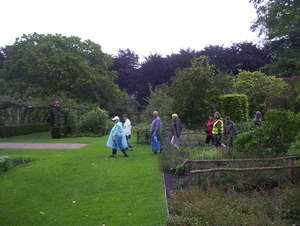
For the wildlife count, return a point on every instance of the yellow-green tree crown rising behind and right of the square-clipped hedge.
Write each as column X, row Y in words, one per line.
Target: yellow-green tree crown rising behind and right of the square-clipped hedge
column 258, row 86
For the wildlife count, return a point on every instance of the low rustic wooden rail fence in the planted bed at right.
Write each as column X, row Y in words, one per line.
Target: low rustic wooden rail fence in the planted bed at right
column 211, row 172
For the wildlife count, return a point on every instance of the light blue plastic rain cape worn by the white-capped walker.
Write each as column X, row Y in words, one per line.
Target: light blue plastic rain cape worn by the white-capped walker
column 120, row 142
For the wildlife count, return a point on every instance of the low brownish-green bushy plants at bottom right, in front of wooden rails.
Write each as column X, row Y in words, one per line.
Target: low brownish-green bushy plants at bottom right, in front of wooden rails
column 215, row 207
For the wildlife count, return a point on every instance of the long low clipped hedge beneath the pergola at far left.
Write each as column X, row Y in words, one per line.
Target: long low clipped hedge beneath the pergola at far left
column 17, row 130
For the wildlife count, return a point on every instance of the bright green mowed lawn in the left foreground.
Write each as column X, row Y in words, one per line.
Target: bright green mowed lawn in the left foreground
column 81, row 186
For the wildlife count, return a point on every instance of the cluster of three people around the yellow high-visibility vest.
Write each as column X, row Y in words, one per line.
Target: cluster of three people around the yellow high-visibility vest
column 215, row 129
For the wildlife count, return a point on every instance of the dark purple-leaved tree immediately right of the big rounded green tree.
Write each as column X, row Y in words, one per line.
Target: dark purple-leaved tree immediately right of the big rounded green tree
column 126, row 63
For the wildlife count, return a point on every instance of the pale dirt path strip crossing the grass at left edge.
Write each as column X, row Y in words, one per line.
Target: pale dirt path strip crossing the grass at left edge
column 42, row 145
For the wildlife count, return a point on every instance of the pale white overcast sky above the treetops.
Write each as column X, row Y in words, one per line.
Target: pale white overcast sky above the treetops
column 156, row 26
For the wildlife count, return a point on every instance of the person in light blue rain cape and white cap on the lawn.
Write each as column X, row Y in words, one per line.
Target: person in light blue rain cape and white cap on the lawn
column 116, row 139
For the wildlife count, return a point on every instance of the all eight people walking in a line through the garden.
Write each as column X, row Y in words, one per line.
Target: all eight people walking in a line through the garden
column 215, row 129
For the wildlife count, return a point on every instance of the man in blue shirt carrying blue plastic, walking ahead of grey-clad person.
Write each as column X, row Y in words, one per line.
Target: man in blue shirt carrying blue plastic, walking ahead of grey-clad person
column 156, row 133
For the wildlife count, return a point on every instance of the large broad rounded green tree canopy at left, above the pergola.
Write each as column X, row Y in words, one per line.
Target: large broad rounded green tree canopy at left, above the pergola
column 43, row 65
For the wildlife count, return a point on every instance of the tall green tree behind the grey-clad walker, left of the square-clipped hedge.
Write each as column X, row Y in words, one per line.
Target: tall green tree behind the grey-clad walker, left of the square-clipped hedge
column 194, row 93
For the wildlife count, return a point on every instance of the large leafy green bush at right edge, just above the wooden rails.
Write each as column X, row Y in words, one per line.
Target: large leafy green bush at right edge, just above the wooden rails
column 273, row 138
